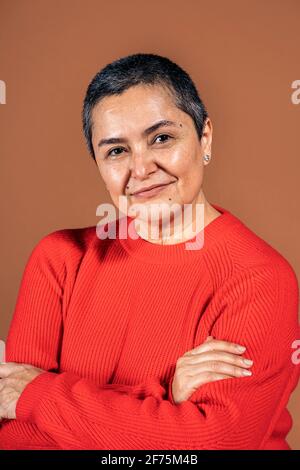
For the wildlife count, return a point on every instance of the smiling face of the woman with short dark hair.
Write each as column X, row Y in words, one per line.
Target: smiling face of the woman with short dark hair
column 141, row 139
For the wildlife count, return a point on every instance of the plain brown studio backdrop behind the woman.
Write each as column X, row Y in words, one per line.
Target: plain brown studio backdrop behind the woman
column 243, row 57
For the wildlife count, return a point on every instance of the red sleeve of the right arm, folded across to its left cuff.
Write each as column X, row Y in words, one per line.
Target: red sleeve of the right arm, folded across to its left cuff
column 256, row 308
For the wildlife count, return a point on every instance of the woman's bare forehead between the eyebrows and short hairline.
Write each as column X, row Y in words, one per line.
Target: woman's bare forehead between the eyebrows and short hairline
column 134, row 110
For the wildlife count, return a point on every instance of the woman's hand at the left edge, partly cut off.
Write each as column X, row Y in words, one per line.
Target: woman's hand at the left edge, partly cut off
column 13, row 379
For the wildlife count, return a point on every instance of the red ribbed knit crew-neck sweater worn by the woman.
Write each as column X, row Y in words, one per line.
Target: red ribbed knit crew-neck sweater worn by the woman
column 108, row 319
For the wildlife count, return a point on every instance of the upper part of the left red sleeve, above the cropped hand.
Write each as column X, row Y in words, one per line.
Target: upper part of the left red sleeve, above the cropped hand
column 36, row 328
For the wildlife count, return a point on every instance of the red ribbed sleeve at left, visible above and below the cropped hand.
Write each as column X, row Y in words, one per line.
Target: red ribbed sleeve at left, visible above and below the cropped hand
column 35, row 331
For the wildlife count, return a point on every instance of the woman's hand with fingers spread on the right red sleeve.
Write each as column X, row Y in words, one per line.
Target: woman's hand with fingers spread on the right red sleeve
column 212, row 360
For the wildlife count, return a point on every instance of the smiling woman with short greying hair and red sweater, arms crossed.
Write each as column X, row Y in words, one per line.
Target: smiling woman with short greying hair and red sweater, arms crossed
column 130, row 338
